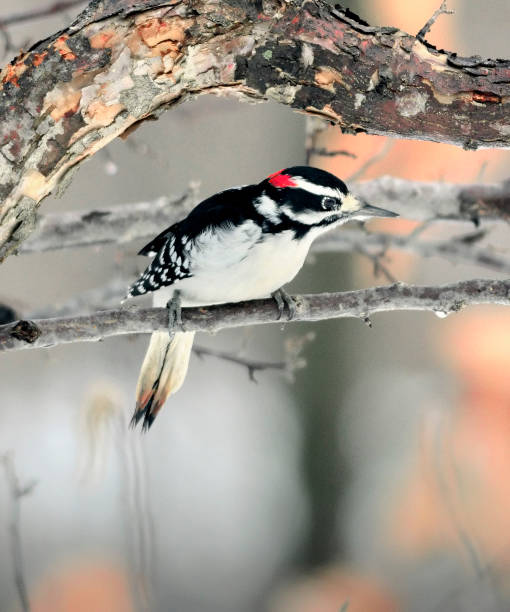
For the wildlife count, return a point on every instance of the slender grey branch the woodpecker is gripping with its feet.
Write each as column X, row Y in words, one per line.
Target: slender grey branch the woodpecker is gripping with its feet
column 359, row 304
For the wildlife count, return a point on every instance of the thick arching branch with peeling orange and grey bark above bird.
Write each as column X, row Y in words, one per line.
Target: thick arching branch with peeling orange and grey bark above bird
column 123, row 61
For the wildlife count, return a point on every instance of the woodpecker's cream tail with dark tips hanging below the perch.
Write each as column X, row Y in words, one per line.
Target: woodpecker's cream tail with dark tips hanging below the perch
column 163, row 371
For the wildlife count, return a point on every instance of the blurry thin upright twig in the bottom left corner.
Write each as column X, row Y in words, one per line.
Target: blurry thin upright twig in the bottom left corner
column 16, row 492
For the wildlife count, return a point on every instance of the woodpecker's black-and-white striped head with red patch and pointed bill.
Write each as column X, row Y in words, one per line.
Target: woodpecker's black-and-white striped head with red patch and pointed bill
column 313, row 197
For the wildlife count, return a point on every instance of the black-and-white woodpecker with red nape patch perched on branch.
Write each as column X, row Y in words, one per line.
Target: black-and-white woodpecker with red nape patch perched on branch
column 241, row 244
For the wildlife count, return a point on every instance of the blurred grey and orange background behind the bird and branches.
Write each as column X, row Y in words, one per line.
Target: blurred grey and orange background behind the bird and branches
column 374, row 481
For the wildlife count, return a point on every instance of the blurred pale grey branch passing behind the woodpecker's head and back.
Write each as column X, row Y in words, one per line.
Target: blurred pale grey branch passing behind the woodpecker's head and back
column 411, row 199
